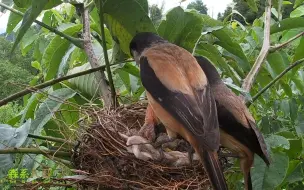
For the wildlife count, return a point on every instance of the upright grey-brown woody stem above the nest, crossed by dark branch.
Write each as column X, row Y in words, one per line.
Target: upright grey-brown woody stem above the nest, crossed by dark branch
column 100, row 76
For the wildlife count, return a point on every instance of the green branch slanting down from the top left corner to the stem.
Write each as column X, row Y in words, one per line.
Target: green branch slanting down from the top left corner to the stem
column 71, row 39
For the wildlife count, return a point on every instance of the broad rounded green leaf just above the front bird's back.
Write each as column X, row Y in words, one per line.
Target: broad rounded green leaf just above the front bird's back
column 181, row 27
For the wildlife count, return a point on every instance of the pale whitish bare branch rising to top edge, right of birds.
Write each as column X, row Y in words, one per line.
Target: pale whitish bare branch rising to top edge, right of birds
column 263, row 53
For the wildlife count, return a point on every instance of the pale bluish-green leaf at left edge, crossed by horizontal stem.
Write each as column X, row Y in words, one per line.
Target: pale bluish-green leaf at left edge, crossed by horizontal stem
column 11, row 137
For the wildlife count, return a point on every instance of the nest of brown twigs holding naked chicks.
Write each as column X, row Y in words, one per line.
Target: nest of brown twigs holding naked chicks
column 107, row 162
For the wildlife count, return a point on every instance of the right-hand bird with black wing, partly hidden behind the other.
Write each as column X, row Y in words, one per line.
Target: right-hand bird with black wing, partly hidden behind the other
column 238, row 129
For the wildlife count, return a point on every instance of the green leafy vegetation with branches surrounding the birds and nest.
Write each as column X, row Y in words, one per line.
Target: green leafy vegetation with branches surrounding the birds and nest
column 70, row 38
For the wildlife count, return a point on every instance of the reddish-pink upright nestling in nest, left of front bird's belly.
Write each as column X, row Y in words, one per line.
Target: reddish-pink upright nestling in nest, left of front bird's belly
column 148, row 129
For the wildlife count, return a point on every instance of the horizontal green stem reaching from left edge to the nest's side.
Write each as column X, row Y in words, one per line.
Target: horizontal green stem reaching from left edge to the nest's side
column 34, row 151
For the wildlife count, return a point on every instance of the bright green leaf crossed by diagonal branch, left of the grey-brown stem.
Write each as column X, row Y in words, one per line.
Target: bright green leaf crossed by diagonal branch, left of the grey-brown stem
column 56, row 50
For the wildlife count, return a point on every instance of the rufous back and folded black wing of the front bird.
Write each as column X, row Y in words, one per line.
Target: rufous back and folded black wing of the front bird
column 191, row 105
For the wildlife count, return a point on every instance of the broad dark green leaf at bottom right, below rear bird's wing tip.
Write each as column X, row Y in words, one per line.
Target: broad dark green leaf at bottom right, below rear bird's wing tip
column 268, row 178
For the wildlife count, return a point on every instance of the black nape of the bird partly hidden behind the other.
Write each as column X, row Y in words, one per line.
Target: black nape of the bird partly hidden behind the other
column 209, row 70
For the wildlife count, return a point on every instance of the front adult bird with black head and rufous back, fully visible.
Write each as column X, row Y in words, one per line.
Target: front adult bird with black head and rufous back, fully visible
column 179, row 95
